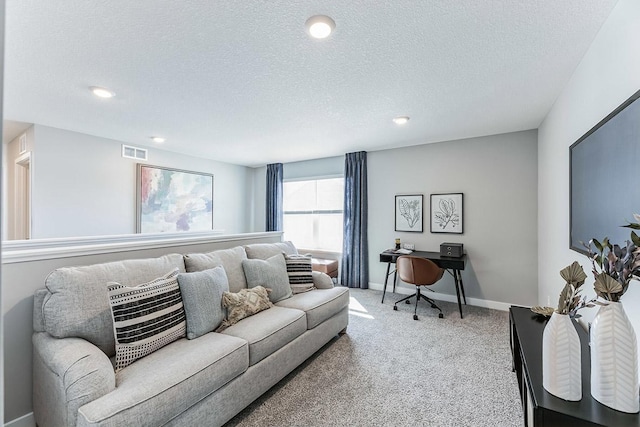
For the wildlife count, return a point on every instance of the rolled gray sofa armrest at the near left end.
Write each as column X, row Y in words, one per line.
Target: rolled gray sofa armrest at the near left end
column 67, row 373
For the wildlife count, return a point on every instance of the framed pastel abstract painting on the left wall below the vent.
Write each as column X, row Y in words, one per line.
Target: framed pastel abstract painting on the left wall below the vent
column 173, row 201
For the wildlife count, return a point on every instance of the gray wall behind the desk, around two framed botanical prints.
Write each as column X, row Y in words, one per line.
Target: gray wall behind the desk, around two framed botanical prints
column 498, row 176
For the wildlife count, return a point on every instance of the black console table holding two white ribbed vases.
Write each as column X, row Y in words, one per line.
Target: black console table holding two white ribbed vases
column 541, row 408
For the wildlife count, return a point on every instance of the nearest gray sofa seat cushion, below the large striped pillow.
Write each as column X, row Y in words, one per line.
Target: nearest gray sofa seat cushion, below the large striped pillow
column 153, row 390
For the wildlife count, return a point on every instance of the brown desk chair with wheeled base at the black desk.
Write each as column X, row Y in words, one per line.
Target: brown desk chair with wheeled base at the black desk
column 420, row 272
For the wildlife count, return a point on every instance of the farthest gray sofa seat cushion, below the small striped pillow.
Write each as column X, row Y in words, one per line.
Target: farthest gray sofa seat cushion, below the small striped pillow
column 319, row 304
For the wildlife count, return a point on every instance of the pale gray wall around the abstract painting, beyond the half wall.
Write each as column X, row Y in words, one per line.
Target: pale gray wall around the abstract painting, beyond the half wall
column 82, row 186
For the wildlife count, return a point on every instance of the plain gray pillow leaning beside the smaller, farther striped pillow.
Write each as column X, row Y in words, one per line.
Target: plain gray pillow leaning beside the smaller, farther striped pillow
column 270, row 273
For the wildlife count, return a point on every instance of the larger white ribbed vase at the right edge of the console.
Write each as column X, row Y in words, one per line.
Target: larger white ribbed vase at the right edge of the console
column 614, row 359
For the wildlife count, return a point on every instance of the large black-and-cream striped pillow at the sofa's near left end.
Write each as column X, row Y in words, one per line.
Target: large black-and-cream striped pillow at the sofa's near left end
column 146, row 317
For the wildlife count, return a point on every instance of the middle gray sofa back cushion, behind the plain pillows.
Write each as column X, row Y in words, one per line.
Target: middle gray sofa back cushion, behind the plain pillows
column 230, row 259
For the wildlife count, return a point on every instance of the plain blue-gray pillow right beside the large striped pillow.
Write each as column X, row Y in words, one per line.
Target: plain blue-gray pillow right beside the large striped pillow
column 202, row 296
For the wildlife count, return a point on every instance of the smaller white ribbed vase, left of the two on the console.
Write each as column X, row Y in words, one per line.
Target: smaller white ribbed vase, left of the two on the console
column 561, row 364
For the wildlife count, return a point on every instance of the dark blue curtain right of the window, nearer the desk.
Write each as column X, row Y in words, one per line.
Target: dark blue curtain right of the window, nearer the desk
column 355, row 252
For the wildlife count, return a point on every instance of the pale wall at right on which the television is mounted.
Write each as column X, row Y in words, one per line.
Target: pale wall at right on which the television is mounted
column 608, row 74
